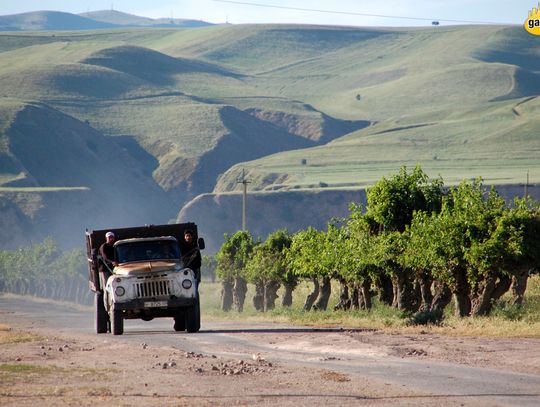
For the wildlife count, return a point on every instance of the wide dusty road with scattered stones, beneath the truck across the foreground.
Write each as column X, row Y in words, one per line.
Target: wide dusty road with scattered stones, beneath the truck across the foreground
column 245, row 364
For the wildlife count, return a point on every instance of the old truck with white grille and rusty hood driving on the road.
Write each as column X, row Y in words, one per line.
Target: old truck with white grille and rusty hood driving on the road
column 151, row 277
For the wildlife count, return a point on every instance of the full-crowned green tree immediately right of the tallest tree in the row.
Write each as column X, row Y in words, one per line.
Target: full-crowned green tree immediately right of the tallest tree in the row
column 467, row 246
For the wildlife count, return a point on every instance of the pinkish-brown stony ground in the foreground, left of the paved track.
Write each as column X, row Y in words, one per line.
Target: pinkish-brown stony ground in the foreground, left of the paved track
column 78, row 370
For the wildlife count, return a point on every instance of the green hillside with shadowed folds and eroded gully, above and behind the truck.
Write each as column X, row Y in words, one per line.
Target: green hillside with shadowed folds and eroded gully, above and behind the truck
column 162, row 102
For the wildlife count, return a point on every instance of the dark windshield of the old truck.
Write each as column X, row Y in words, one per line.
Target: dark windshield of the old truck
column 144, row 251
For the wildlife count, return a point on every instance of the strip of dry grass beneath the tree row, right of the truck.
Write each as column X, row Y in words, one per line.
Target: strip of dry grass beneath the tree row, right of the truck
column 505, row 320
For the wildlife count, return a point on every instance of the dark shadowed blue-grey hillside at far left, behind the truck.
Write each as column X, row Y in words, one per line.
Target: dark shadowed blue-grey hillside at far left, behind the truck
column 66, row 176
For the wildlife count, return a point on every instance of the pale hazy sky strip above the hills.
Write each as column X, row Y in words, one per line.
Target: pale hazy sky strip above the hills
column 494, row 11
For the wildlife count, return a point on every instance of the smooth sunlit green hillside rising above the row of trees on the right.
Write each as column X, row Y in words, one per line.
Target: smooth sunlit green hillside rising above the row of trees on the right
column 462, row 102
